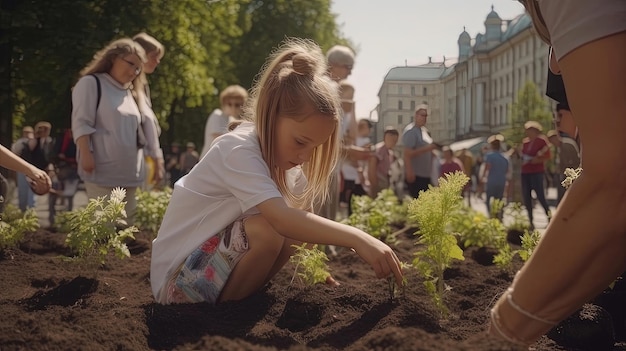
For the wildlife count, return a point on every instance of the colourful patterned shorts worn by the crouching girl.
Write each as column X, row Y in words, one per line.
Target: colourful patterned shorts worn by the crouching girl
column 204, row 273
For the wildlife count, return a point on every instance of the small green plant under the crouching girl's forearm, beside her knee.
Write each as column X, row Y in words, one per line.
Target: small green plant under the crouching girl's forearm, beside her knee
column 310, row 264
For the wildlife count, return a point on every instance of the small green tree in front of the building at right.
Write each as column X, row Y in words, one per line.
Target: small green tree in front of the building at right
column 528, row 105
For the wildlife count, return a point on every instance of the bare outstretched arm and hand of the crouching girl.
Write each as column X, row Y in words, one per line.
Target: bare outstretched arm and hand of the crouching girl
column 307, row 227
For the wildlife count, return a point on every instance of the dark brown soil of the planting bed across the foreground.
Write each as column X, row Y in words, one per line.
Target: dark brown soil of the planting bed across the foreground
column 47, row 303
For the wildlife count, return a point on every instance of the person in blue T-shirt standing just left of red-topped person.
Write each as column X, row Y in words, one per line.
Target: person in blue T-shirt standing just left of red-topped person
column 497, row 172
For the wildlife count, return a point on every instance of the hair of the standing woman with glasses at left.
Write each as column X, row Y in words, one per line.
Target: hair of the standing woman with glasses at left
column 103, row 62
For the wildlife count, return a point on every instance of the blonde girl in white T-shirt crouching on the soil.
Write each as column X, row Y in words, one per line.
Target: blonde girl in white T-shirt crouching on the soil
column 231, row 222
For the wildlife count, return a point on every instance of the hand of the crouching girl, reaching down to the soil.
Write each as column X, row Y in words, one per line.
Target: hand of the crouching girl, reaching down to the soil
column 381, row 257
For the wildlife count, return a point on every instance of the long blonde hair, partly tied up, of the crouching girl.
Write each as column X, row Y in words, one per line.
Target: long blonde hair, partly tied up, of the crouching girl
column 292, row 84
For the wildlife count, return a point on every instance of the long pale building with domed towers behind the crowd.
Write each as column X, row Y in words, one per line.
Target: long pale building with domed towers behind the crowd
column 470, row 96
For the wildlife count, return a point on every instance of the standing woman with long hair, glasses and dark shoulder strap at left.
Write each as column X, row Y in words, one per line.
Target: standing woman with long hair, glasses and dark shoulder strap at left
column 106, row 122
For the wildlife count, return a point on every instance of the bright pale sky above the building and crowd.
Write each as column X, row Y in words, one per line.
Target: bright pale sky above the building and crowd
column 393, row 33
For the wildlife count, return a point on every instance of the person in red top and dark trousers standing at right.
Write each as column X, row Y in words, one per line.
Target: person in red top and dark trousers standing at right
column 535, row 151
